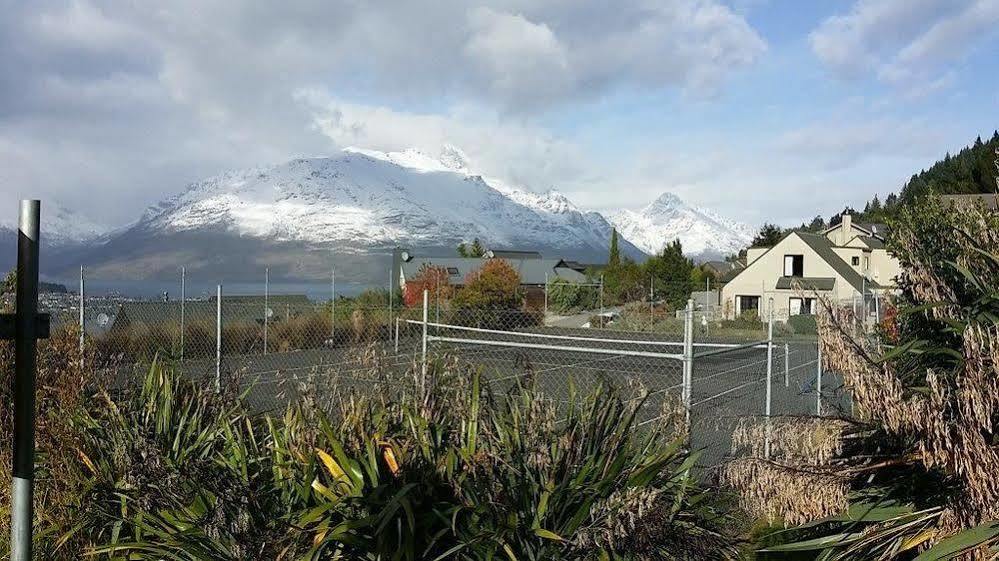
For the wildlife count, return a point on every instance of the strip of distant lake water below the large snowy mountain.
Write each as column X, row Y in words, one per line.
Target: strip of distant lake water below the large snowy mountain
column 154, row 289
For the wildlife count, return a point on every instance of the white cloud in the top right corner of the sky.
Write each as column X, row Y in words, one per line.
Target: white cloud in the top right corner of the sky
column 905, row 43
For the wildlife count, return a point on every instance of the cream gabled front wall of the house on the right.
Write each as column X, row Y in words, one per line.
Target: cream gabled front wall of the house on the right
column 760, row 278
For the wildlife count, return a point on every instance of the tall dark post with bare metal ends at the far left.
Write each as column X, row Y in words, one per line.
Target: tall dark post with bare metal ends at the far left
column 26, row 336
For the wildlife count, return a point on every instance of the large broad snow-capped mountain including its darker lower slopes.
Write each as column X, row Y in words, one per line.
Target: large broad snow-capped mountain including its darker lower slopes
column 356, row 202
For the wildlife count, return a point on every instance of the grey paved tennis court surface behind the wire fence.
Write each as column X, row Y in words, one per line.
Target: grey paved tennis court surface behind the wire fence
column 726, row 386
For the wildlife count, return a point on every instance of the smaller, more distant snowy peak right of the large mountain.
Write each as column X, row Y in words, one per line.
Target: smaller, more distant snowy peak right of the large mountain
column 702, row 233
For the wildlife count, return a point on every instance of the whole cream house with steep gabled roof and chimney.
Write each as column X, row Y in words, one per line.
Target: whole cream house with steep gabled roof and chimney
column 847, row 263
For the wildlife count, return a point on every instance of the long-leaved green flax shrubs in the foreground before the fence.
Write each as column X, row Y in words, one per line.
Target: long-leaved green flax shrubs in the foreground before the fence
column 404, row 468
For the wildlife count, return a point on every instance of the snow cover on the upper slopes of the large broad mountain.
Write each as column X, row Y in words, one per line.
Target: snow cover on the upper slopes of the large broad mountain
column 370, row 198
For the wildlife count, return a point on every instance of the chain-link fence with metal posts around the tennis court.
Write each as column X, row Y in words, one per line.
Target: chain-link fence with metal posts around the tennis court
column 278, row 346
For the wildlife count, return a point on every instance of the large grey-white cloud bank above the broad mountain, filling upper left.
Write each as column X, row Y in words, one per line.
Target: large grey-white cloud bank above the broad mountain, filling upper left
column 109, row 106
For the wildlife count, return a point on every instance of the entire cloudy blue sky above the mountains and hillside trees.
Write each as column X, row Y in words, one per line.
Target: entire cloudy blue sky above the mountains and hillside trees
column 758, row 109
